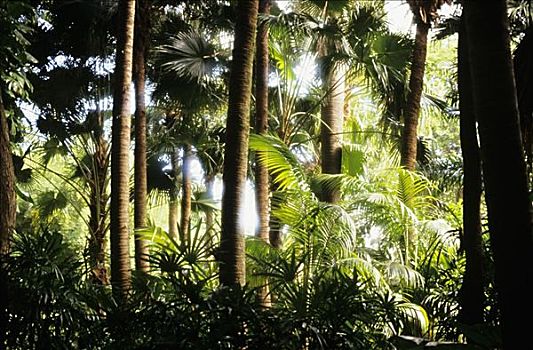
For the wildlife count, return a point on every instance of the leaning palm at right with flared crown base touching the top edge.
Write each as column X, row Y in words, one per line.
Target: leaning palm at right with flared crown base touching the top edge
column 425, row 12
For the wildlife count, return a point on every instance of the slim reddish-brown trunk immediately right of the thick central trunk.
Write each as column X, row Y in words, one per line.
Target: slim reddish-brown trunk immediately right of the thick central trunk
column 261, row 122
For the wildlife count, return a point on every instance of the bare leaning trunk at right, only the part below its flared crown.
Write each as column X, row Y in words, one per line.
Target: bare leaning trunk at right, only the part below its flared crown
column 412, row 107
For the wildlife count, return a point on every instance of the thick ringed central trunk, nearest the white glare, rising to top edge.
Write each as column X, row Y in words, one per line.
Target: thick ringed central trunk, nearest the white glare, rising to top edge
column 232, row 263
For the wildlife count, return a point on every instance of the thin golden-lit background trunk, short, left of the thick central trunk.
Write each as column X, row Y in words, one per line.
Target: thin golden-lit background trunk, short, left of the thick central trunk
column 186, row 194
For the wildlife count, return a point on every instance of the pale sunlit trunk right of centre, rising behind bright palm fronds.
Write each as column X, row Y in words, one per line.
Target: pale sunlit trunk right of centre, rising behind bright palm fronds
column 332, row 114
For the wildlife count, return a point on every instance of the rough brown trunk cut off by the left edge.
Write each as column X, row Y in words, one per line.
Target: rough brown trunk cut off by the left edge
column 8, row 200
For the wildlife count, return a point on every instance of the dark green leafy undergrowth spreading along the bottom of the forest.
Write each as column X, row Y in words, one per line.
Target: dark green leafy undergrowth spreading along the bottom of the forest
column 52, row 305
